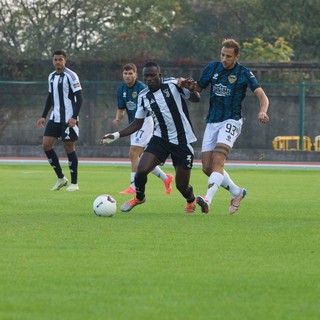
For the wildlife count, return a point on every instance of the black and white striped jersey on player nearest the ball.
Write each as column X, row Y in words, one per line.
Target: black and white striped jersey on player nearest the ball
column 169, row 111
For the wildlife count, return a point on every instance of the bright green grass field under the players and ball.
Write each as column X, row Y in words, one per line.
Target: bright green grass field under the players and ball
column 60, row 261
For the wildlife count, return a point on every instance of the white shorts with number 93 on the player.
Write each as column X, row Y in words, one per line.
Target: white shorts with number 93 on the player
column 225, row 132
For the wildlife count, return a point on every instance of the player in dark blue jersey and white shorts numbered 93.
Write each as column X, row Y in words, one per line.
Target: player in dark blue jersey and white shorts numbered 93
column 229, row 81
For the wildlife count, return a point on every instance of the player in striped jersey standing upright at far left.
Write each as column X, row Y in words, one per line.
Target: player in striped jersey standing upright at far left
column 65, row 99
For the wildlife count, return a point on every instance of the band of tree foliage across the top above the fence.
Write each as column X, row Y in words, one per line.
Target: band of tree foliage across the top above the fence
column 179, row 31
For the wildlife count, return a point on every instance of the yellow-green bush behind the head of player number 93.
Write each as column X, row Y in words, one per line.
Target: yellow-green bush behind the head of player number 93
column 261, row 51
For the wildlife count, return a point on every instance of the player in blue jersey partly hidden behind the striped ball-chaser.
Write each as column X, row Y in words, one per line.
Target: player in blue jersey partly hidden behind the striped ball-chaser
column 127, row 97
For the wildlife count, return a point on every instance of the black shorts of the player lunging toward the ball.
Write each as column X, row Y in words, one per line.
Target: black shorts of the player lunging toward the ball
column 182, row 155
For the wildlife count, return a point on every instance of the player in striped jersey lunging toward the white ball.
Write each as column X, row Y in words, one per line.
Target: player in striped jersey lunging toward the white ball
column 173, row 134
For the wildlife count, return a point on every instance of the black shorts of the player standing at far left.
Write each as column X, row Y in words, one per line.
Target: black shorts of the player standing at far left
column 61, row 130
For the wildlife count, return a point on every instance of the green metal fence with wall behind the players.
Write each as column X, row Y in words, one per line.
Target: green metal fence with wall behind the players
column 294, row 110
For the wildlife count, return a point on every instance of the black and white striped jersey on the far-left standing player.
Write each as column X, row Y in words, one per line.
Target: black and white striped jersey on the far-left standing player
column 62, row 87
